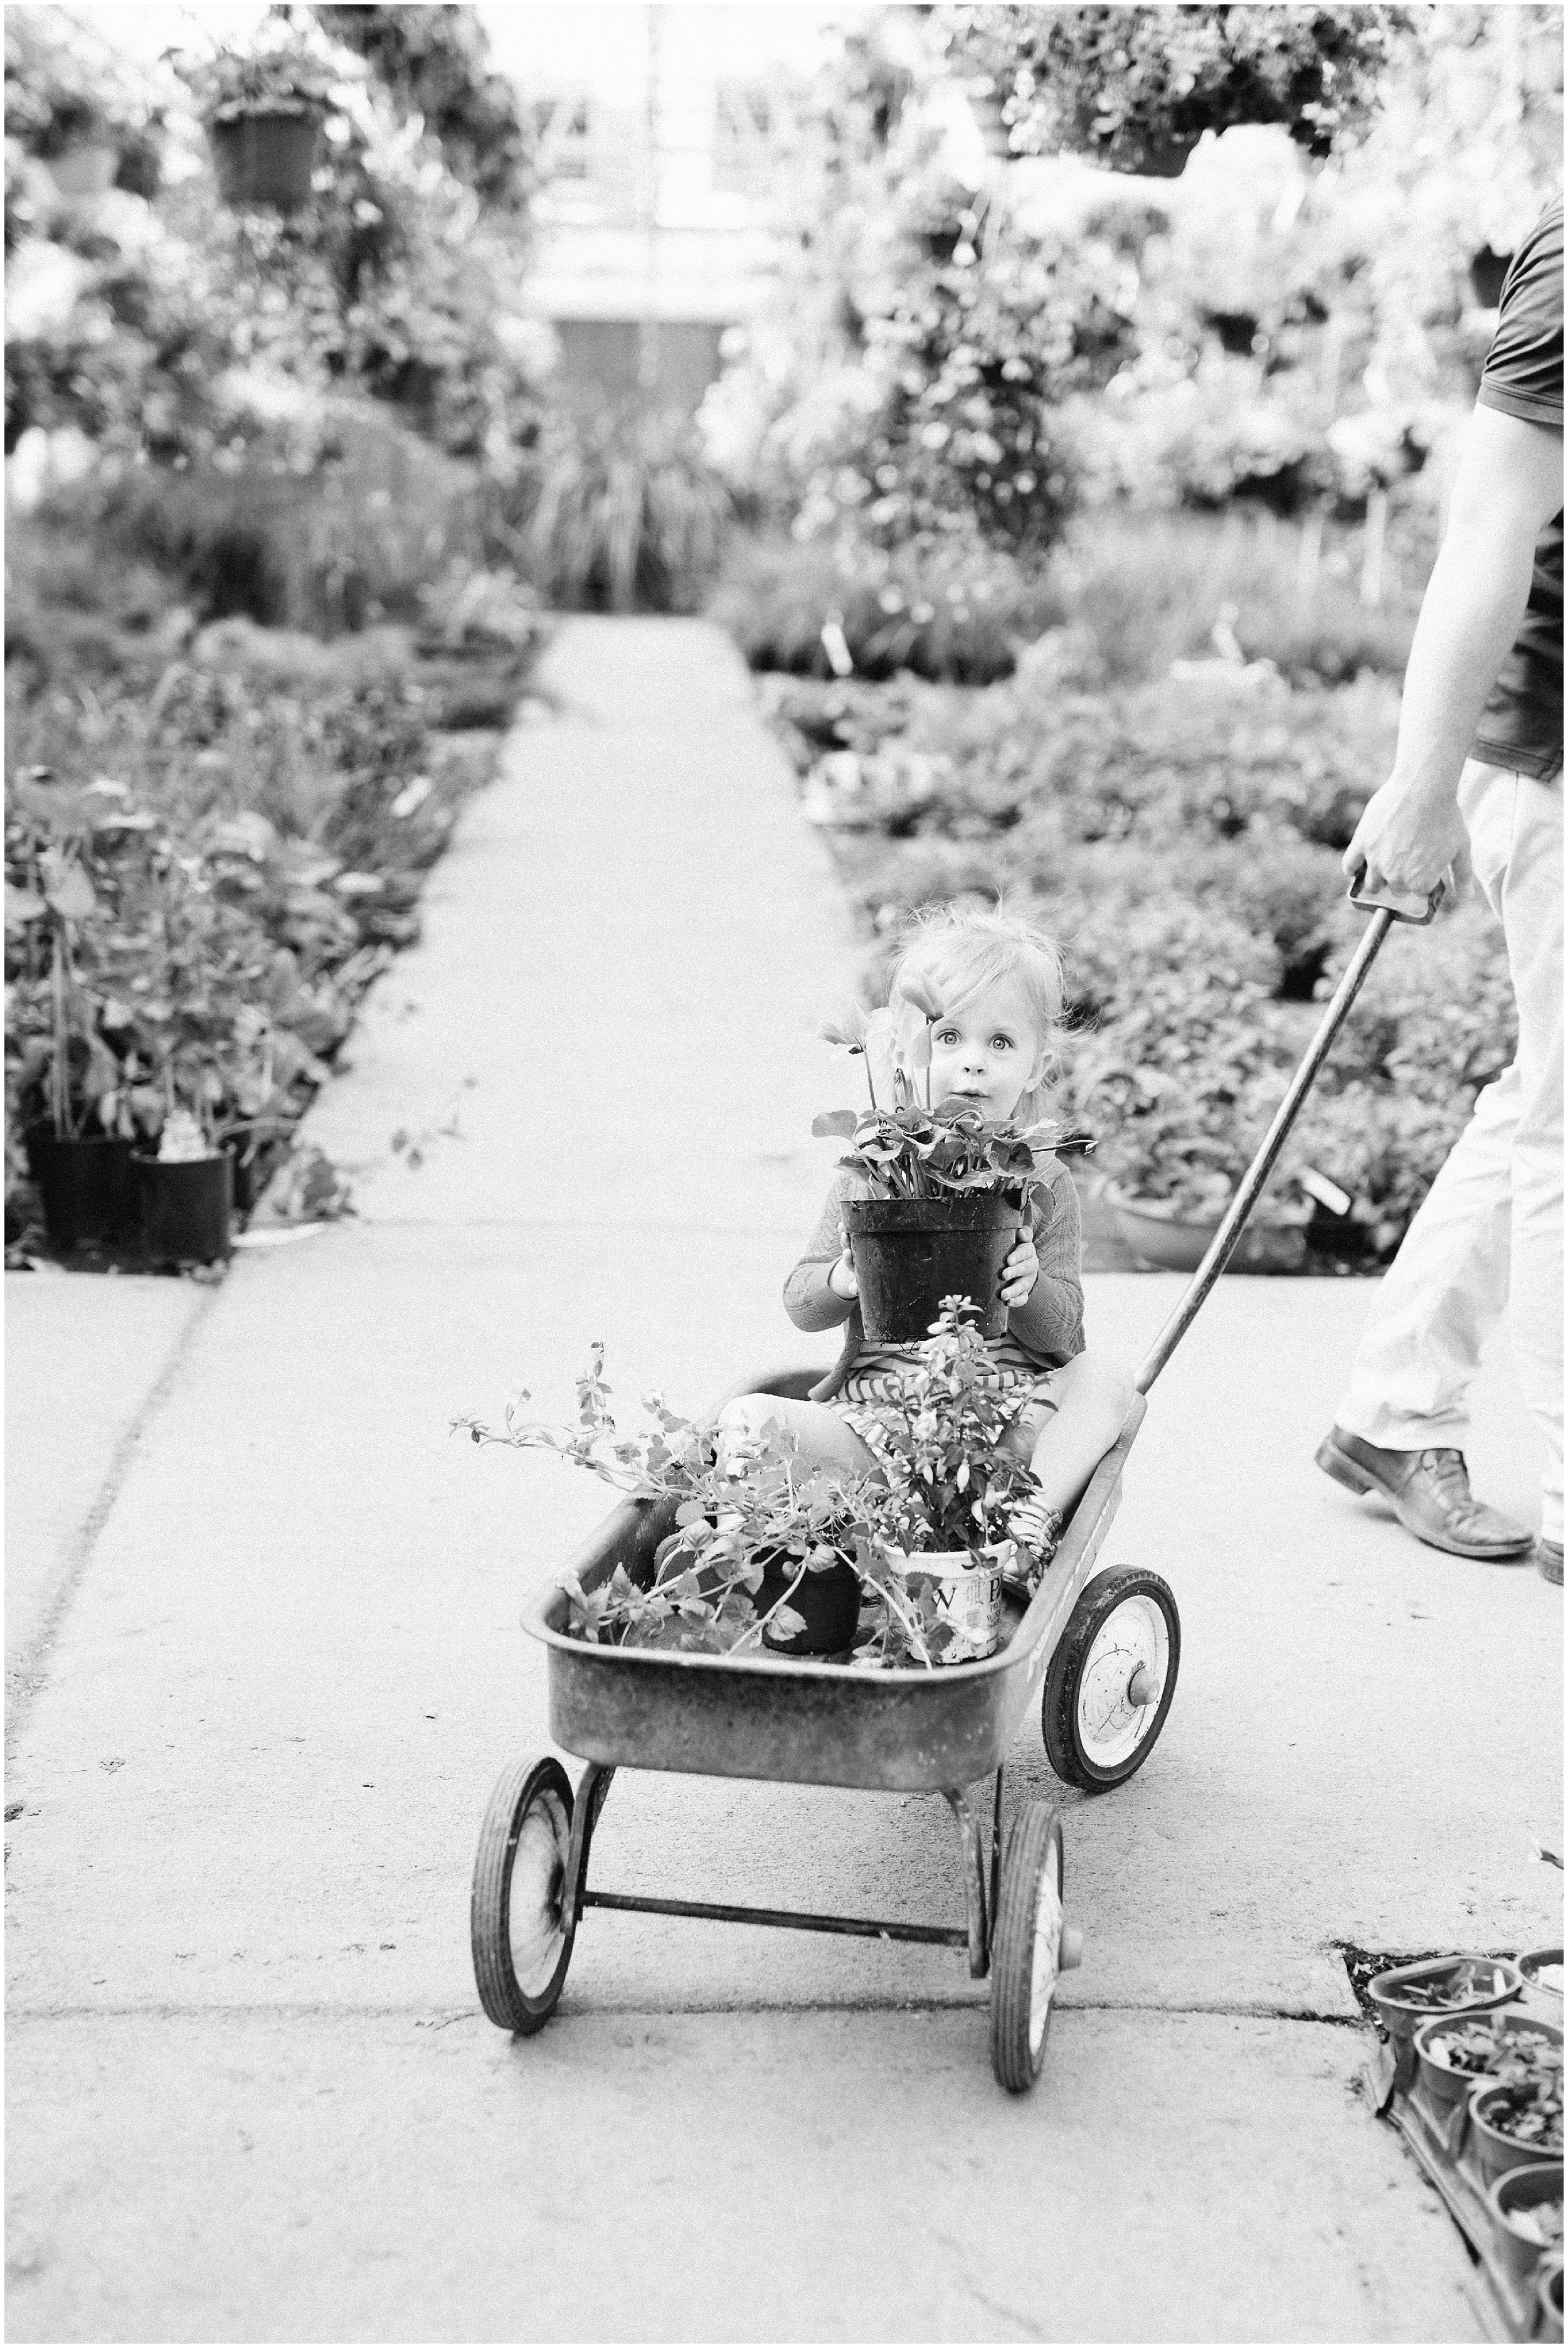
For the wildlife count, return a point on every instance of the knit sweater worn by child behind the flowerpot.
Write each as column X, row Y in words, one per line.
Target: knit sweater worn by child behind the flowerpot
column 1050, row 1325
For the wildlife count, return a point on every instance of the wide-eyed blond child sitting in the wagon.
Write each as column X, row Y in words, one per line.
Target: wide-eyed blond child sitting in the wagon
column 999, row 983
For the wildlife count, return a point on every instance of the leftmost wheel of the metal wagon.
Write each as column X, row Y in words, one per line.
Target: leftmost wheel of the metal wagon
column 518, row 1919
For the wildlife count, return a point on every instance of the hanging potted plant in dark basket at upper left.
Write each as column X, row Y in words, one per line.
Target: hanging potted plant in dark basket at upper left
column 264, row 114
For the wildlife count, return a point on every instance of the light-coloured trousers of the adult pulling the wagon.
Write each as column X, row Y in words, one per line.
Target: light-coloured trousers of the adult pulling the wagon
column 1492, row 1229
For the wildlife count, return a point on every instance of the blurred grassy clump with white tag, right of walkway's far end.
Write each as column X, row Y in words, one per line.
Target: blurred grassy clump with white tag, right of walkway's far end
column 942, row 612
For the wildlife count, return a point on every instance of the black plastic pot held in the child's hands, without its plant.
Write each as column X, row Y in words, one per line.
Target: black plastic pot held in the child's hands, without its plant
column 912, row 1253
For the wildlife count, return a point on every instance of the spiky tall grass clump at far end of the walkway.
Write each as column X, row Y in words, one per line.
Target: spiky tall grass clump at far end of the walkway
column 616, row 513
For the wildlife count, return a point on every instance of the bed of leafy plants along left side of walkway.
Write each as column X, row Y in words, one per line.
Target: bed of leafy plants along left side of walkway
column 255, row 835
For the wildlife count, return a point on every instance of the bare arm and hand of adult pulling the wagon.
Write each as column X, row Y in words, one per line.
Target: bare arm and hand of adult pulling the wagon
column 1506, row 492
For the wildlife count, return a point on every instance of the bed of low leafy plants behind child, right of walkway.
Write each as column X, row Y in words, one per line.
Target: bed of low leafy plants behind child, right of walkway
column 1182, row 839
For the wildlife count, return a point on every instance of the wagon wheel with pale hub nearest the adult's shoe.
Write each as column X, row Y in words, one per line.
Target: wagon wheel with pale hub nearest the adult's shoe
column 1111, row 1680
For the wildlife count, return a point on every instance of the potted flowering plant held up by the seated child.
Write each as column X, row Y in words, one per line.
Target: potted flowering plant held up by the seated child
column 945, row 1192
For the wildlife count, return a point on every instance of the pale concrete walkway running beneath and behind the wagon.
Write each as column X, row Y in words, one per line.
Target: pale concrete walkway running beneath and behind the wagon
column 269, row 1668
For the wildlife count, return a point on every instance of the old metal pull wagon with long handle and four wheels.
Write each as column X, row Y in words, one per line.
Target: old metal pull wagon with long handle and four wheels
column 1100, row 1649
